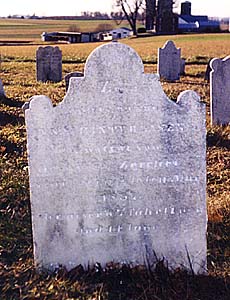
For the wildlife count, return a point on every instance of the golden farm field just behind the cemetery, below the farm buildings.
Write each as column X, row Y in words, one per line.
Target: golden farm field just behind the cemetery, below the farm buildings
column 195, row 48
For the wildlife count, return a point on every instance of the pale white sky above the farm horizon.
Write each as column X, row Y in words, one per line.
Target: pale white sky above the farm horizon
column 212, row 8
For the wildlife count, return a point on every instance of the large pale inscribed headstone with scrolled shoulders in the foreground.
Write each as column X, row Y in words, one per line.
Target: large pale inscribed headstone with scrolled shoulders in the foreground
column 117, row 170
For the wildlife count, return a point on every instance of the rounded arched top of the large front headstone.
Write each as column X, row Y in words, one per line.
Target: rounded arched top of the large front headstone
column 114, row 61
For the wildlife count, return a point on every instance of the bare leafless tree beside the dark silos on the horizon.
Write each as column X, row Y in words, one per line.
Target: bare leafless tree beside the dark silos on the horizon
column 131, row 9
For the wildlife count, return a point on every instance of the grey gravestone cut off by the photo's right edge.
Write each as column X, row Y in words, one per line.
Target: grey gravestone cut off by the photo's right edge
column 220, row 91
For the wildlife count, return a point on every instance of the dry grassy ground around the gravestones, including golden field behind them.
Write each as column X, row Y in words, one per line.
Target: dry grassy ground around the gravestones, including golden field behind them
column 18, row 278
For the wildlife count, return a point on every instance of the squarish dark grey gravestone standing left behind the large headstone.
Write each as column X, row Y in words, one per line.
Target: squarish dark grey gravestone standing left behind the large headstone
column 49, row 64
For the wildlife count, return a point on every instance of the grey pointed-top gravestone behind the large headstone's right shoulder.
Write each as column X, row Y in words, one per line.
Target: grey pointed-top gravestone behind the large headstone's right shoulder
column 169, row 62
